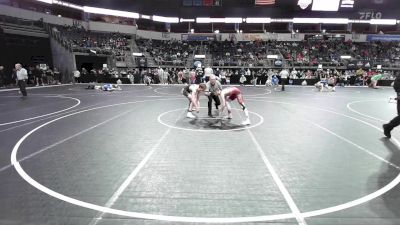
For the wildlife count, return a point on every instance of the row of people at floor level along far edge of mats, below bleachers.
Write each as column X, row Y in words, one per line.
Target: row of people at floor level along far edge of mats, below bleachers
column 244, row 76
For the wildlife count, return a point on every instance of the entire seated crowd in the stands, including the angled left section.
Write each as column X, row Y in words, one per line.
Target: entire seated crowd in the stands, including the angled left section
column 228, row 53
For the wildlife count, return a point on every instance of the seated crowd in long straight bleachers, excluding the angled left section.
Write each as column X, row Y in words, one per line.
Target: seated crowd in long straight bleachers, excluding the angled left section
column 300, row 54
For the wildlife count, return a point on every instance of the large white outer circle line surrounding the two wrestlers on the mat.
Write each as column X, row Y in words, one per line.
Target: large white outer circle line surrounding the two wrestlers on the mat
column 103, row 209
